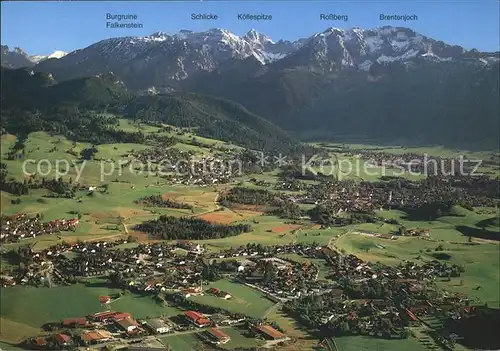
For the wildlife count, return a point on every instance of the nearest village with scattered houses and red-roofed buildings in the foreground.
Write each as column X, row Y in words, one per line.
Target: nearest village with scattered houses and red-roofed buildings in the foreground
column 352, row 296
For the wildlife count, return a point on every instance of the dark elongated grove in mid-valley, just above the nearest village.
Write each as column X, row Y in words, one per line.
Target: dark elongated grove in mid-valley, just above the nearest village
column 174, row 228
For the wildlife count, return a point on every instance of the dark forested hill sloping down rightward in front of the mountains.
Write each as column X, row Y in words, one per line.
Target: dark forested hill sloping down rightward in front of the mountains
column 75, row 108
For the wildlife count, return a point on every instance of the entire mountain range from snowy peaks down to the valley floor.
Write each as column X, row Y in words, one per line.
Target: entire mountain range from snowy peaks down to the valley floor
column 337, row 82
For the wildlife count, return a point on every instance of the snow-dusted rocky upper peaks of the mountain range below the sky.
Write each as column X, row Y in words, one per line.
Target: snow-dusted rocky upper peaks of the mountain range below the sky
column 162, row 60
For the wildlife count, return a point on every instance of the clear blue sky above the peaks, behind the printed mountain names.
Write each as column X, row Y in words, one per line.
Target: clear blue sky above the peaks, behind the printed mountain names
column 43, row 27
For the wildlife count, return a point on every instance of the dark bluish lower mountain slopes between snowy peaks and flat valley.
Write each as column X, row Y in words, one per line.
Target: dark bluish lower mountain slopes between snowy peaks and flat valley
column 447, row 103
